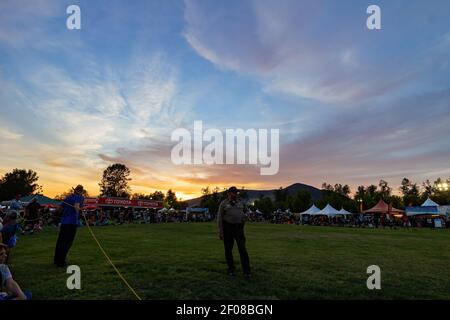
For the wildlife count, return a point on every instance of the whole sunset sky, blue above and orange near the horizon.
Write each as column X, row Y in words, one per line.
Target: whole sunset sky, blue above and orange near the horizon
column 353, row 105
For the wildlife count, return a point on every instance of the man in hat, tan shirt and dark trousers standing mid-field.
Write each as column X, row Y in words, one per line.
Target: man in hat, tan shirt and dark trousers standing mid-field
column 231, row 218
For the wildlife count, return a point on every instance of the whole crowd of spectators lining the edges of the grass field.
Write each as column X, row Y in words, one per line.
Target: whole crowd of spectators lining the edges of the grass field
column 27, row 219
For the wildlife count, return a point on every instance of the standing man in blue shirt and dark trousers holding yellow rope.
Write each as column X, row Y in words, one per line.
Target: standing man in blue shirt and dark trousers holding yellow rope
column 69, row 222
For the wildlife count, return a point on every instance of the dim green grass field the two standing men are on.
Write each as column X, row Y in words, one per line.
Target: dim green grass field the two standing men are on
column 186, row 261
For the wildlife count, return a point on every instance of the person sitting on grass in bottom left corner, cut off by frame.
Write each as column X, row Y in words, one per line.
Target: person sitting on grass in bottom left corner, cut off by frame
column 9, row 289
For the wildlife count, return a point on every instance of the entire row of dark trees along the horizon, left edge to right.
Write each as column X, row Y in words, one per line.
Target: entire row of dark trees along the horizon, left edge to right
column 116, row 177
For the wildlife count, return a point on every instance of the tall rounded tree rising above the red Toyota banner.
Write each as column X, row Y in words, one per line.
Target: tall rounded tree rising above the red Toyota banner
column 114, row 182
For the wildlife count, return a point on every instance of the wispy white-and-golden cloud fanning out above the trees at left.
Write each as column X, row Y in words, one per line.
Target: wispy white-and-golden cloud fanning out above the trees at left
column 69, row 119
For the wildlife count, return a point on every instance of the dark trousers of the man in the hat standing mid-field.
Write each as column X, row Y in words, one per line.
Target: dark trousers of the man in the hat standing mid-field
column 233, row 232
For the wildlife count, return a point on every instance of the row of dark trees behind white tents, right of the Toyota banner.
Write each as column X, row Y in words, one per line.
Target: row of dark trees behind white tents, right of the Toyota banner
column 339, row 196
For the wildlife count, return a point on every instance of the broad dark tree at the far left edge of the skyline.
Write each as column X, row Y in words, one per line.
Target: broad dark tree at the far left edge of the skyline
column 19, row 181
